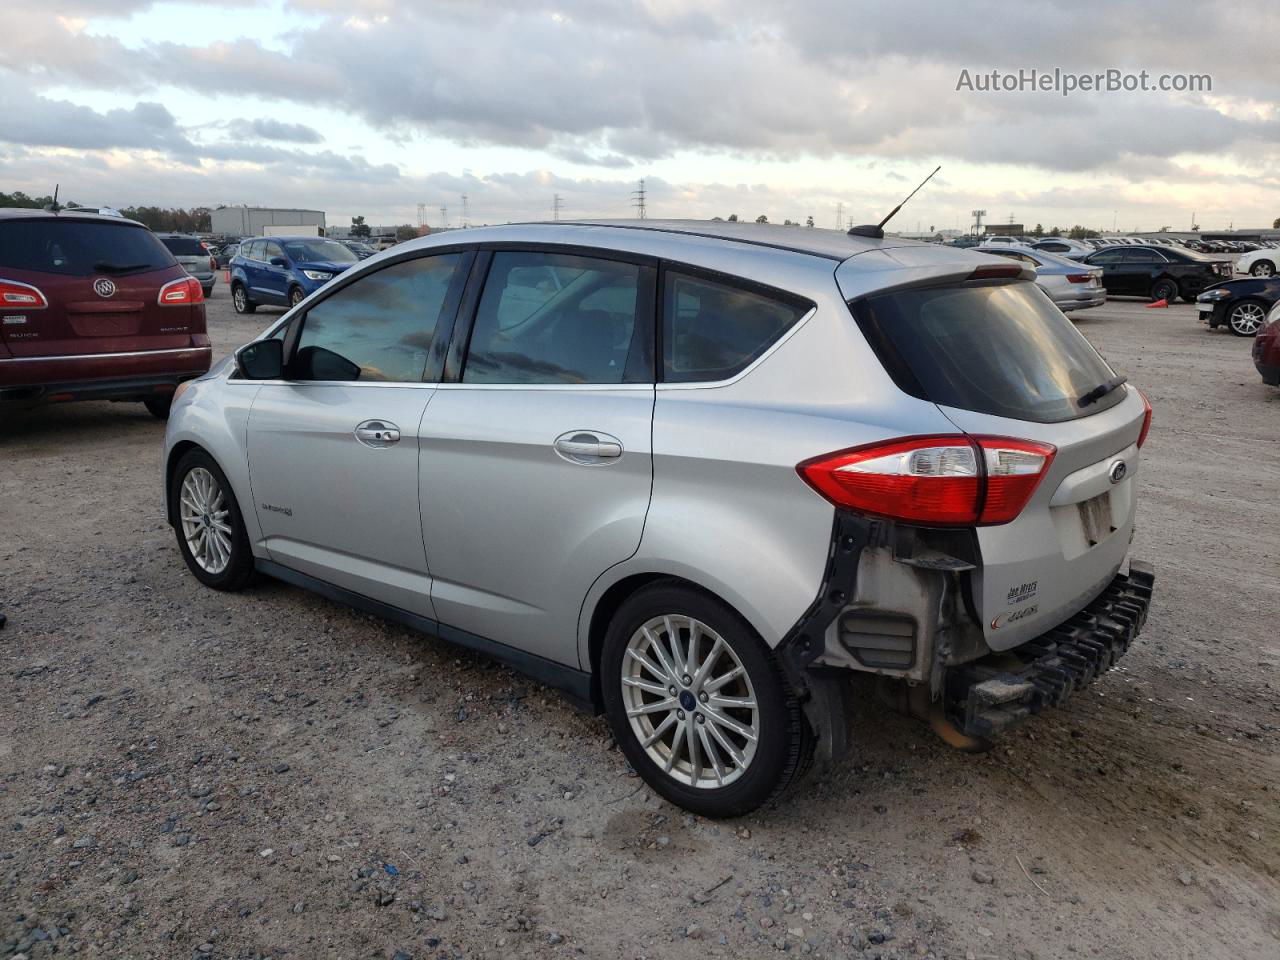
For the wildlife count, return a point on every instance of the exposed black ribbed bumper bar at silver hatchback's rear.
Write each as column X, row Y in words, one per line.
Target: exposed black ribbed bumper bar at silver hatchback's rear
column 988, row 697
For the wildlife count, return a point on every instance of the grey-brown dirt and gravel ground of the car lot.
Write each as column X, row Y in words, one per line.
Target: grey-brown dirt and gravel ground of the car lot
column 188, row 774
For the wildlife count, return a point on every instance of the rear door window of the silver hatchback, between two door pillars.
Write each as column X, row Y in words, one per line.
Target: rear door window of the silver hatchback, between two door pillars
column 560, row 319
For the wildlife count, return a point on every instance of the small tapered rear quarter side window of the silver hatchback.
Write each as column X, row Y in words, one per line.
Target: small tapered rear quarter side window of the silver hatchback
column 712, row 331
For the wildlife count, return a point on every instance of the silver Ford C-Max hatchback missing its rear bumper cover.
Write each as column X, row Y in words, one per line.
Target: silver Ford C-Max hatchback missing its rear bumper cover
column 698, row 476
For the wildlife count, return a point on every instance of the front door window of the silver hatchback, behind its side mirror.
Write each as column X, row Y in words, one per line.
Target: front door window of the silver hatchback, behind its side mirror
column 378, row 328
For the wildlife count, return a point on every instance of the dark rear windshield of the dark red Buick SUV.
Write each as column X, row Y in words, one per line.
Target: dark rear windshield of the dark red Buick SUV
column 80, row 248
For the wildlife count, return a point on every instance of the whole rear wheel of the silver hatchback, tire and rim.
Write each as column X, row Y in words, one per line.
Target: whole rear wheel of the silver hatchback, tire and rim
column 698, row 703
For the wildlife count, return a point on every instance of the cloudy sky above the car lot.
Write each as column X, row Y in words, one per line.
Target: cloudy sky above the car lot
column 724, row 107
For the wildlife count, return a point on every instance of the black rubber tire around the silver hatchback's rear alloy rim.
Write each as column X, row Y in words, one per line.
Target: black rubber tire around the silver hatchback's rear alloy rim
column 784, row 748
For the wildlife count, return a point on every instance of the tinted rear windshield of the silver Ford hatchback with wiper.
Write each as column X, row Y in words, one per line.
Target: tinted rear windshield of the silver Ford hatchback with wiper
column 1002, row 350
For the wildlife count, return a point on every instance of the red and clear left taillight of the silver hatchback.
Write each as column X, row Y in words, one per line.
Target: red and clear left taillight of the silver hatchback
column 935, row 481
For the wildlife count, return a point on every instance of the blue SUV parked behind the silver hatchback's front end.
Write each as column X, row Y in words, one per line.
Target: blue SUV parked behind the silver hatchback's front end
column 284, row 271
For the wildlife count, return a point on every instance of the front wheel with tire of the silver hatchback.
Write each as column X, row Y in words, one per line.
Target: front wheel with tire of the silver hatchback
column 212, row 536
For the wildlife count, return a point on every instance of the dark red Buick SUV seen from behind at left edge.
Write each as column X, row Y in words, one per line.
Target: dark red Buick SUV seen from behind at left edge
column 94, row 308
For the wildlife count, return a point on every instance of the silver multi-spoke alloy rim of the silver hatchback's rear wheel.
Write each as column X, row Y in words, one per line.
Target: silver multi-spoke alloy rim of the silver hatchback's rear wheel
column 691, row 702
